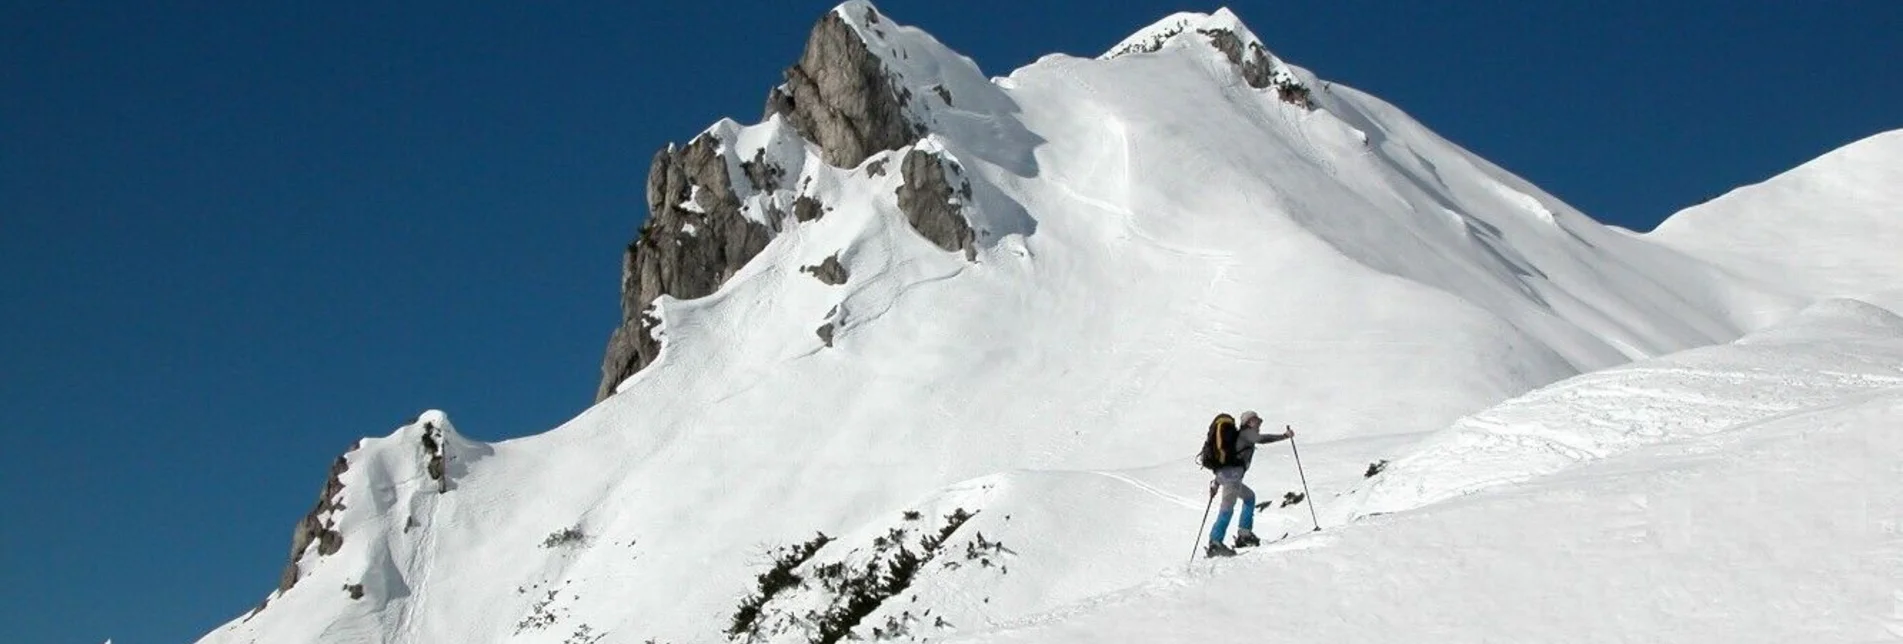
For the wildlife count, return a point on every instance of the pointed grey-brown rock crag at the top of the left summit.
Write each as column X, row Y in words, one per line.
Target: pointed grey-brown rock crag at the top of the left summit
column 842, row 98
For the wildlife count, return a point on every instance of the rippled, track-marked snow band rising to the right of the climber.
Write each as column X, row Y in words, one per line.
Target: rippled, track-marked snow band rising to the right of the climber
column 1834, row 352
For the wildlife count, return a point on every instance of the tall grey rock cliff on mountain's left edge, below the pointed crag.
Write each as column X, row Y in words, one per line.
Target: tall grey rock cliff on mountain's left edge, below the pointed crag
column 694, row 241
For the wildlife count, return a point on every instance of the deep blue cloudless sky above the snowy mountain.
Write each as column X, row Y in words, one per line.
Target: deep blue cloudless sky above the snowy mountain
column 237, row 239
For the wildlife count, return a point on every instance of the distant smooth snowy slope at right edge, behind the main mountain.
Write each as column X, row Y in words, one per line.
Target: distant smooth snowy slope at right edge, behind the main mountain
column 1824, row 230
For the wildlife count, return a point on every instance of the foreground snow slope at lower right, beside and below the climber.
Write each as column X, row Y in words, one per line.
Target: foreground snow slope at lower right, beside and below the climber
column 1717, row 510
